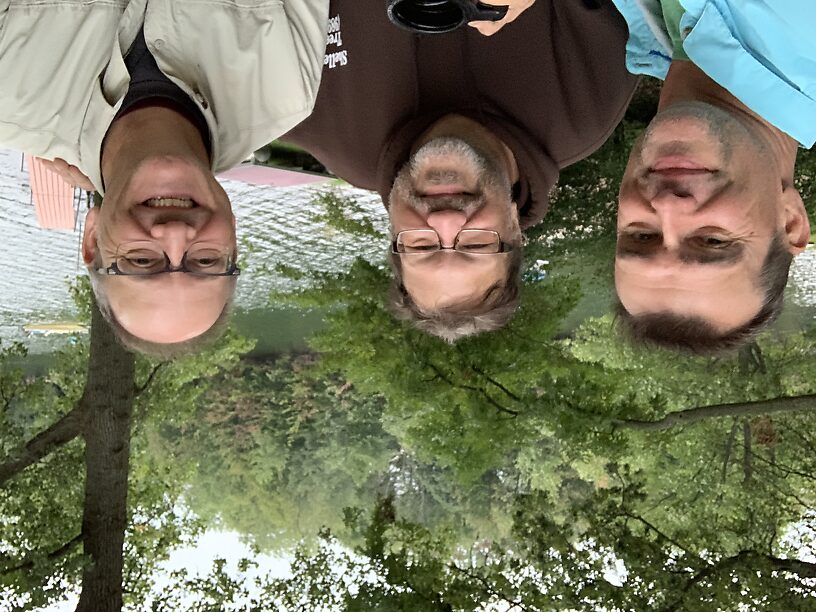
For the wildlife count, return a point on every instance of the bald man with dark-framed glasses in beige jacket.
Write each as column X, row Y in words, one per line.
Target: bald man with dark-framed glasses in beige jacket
column 146, row 100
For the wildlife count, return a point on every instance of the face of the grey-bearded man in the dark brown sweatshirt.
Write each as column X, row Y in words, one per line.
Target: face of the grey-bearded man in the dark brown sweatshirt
column 448, row 186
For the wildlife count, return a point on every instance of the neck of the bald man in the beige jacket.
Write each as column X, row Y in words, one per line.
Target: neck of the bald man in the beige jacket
column 148, row 132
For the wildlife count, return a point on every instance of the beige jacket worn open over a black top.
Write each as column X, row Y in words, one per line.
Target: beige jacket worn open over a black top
column 253, row 67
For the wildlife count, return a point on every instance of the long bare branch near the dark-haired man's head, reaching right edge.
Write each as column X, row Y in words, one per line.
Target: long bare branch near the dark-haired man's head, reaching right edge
column 738, row 409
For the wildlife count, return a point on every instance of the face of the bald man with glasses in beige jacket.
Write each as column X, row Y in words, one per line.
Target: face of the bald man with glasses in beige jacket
column 169, row 205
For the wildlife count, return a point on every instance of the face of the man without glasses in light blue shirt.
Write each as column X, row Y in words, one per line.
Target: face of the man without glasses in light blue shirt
column 700, row 201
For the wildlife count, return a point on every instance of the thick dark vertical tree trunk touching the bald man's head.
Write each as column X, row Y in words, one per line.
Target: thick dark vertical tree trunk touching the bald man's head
column 109, row 392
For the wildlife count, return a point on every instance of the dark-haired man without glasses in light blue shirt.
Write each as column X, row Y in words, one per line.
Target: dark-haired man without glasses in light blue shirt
column 708, row 218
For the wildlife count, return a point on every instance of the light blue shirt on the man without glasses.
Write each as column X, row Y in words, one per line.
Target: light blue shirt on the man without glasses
column 763, row 52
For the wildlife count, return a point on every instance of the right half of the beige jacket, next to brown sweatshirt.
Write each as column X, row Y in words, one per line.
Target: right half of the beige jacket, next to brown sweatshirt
column 253, row 68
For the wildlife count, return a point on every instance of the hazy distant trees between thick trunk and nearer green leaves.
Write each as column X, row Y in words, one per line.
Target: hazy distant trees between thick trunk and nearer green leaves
column 263, row 436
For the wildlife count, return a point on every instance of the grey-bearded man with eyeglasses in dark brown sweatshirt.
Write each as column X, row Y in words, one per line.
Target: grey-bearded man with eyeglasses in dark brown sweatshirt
column 463, row 136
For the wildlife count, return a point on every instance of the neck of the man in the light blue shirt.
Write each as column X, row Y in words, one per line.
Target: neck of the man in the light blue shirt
column 686, row 82
